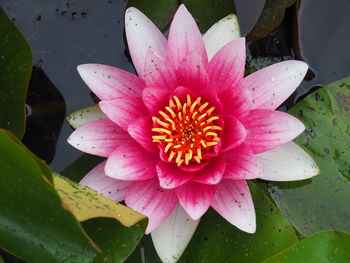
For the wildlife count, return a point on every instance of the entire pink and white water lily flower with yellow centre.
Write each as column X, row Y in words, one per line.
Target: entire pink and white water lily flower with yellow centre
column 190, row 129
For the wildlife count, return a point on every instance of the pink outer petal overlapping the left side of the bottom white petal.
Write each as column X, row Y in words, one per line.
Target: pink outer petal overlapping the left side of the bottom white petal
column 148, row 198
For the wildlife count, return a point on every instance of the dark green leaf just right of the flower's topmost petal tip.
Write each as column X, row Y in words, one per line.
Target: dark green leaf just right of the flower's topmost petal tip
column 208, row 12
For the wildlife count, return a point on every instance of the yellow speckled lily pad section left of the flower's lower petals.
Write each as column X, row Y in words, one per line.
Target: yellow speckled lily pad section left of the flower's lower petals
column 85, row 203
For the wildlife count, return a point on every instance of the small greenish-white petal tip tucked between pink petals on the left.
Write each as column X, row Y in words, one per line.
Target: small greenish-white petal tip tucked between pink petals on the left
column 84, row 115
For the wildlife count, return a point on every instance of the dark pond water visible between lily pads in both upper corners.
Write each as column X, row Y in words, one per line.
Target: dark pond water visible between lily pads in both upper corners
column 64, row 34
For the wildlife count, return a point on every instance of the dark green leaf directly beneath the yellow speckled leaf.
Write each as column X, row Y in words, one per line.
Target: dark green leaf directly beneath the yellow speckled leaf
column 116, row 241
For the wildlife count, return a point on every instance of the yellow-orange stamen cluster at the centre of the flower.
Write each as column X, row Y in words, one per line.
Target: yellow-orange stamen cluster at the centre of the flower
column 186, row 130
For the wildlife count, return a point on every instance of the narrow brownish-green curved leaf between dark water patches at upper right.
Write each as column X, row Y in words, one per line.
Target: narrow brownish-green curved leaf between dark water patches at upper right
column 270, row 17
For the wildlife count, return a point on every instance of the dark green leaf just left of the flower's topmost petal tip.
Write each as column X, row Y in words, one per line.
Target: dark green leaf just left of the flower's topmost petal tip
column 161, row 12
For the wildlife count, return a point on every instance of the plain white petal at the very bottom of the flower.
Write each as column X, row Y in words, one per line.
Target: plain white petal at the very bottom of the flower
column 171, row 238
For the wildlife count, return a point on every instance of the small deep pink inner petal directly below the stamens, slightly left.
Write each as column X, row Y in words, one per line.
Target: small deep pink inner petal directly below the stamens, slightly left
column 170, row 176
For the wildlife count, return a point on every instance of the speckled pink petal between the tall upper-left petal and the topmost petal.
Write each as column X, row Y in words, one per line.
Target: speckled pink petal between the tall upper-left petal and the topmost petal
column 158, row 74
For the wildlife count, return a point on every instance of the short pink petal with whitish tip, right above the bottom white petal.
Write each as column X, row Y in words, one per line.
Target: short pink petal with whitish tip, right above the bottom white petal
column 195, row 198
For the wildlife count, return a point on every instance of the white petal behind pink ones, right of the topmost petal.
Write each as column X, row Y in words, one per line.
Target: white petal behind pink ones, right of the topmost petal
column 221, row 33
